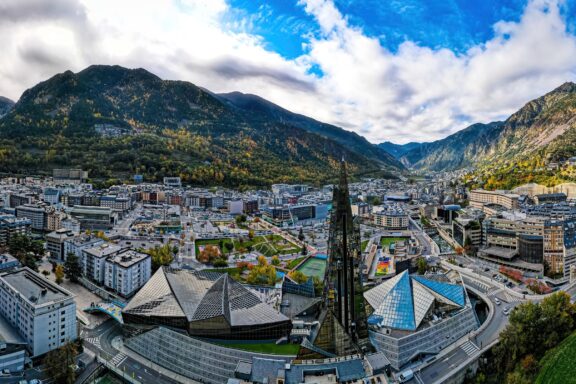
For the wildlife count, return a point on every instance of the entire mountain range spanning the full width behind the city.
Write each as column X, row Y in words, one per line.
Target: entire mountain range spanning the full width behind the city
column 116, row 122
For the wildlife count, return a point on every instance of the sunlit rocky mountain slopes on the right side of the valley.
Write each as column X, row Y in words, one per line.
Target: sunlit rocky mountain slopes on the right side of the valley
column 509, row 152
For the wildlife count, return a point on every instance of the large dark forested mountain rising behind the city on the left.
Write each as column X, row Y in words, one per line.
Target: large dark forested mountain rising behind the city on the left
column 116, row 122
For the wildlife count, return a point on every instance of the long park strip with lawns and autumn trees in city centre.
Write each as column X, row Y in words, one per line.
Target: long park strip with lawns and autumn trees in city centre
column 268, row 245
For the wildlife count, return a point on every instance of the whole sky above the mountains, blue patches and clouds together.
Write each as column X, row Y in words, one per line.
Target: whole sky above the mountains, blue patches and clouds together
column 389, row 70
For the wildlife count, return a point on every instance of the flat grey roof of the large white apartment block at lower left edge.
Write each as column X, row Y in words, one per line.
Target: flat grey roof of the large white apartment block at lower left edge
column 34, row 288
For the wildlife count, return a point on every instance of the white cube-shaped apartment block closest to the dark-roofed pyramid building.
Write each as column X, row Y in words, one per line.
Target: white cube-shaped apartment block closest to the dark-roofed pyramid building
column 127, row 271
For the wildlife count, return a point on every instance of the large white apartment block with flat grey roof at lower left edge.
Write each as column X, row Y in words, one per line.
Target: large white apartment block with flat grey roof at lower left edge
column 43, row 313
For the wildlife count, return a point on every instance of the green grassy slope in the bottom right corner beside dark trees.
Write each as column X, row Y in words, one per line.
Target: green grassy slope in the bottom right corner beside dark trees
column 558, row 364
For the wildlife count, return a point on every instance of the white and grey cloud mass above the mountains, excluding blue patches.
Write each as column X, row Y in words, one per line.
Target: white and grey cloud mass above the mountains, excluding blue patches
column 416, row 93
